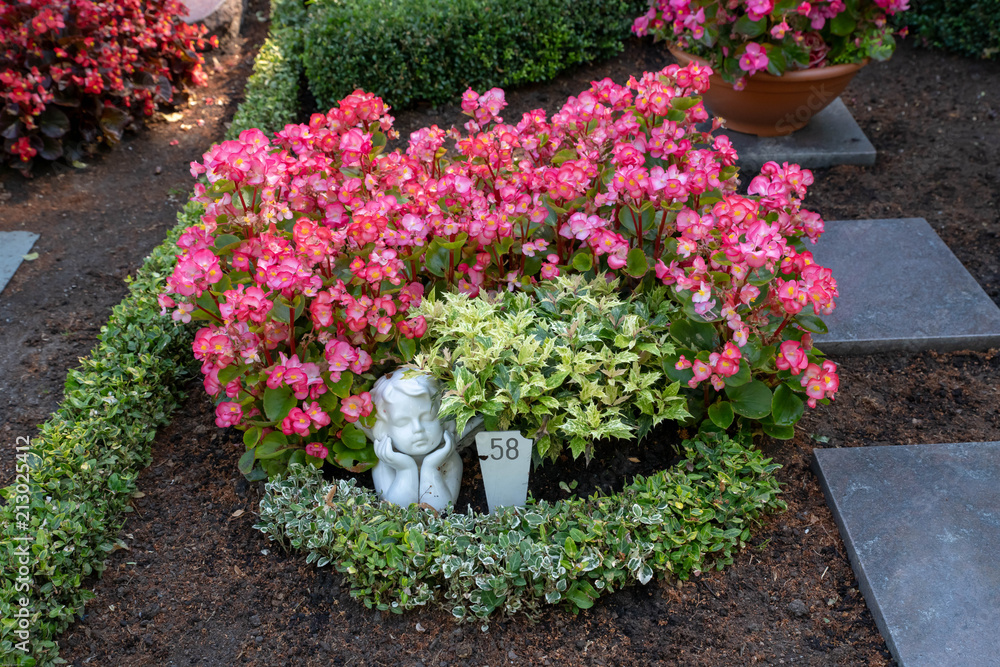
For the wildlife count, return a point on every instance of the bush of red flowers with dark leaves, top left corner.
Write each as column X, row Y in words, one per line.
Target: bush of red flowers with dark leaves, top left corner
column 75, row 73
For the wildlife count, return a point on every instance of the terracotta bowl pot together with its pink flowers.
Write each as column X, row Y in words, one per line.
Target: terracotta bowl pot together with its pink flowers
column 776, row 63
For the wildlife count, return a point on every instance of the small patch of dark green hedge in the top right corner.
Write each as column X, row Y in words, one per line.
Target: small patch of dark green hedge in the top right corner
column 964, row 27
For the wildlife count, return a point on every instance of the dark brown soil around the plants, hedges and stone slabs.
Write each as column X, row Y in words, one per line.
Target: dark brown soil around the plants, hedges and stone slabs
column 199, row 586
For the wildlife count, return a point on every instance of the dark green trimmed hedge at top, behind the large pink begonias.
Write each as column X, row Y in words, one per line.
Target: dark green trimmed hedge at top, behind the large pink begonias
column 406, row 51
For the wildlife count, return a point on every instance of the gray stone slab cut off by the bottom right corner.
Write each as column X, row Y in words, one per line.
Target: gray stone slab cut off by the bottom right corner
column 921, row 524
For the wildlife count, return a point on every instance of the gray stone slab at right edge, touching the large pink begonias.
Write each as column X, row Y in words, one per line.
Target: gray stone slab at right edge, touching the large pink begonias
column 901, row 288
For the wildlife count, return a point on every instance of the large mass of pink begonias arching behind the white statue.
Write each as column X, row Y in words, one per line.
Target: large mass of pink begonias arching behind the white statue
column 315, row 248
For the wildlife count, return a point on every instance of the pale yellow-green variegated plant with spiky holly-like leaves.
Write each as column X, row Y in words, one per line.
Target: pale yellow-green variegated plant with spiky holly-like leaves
column 567, row 362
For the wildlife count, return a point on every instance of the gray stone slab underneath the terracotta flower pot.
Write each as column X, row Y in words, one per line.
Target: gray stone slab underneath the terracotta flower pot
column 832, row 137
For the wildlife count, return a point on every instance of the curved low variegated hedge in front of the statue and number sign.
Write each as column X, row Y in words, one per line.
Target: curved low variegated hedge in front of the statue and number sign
column 676, row 522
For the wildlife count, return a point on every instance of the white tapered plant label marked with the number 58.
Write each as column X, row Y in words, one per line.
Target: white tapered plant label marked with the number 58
column 504, row 457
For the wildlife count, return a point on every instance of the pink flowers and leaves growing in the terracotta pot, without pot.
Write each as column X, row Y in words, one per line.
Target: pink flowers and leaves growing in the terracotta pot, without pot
column 739, row 38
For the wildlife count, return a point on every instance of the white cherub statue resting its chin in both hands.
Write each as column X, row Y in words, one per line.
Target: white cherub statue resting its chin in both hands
column 417, row 461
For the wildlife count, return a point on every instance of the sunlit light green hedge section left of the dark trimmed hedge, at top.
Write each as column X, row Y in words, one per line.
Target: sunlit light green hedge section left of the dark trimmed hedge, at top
column 272, row 92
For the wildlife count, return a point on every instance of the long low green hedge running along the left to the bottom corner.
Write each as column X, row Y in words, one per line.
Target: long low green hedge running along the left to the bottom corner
column 83, row 465
